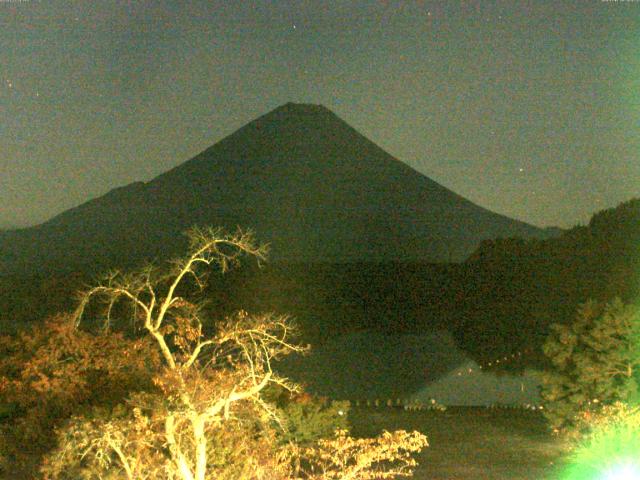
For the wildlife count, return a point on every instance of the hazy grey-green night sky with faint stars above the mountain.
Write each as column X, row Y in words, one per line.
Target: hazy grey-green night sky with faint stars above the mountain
column 531, row 109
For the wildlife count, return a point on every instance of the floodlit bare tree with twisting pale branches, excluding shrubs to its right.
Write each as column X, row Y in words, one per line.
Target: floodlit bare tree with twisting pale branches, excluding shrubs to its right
column 204, row 379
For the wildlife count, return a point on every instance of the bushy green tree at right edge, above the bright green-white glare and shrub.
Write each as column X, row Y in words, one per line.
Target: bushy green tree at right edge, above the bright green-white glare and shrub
column 595, row 362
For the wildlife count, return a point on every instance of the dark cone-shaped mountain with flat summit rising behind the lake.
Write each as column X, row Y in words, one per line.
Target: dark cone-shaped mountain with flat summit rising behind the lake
column 299, row 176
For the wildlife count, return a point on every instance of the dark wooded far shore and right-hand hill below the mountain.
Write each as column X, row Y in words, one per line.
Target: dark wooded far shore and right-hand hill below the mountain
column 501, row 300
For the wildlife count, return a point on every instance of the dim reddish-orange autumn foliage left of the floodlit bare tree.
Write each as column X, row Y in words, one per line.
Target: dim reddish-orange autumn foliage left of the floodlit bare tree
column 55, row 370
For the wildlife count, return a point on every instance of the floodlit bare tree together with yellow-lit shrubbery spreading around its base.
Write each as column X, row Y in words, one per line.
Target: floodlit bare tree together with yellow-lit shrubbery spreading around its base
column 207, row 417
